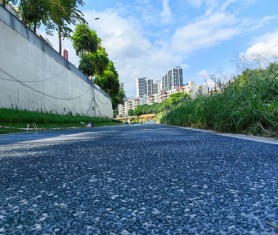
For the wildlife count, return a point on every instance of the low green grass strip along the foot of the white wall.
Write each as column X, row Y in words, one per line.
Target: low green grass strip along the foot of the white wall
column 14, row 121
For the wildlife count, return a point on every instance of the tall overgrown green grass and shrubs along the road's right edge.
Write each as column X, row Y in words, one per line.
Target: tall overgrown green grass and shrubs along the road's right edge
column 249, row 104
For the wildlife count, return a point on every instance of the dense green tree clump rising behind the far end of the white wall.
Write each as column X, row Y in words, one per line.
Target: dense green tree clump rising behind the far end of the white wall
column 94, row 62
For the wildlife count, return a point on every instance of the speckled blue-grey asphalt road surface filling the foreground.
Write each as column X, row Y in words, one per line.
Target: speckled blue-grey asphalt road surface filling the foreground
column 137, row 179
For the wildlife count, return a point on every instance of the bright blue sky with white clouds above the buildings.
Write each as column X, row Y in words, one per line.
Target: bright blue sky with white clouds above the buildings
column 146, row 38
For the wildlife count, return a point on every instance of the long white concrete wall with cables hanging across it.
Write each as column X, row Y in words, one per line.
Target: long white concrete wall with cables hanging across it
column 33, row 76
